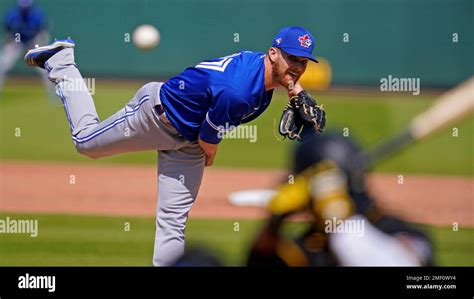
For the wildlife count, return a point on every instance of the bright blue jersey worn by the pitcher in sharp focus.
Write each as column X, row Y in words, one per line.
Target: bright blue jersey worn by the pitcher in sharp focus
column 216, row 95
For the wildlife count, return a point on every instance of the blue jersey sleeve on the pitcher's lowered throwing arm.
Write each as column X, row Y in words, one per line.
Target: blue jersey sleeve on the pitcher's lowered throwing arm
column 224, row 115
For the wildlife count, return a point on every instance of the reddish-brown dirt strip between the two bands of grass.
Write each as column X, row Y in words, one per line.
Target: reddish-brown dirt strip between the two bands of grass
column 132, row 191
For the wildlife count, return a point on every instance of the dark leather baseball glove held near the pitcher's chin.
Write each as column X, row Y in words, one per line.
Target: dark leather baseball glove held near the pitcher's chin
column 301, row 111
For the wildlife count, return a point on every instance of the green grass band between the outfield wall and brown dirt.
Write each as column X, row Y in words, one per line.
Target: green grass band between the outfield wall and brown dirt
column 370, row 118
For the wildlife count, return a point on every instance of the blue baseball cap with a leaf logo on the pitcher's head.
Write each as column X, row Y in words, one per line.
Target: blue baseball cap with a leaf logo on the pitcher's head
column 295, row 41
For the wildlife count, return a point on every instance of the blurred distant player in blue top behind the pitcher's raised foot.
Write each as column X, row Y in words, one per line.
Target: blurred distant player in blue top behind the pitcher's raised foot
column 25, row 26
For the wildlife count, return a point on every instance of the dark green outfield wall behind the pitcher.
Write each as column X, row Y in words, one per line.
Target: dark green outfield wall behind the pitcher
column 364, row 40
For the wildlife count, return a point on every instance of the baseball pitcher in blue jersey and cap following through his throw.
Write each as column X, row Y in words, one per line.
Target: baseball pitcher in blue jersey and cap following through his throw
column 184, row 119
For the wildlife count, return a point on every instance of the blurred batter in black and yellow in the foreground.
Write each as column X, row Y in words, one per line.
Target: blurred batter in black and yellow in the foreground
column 347, row 228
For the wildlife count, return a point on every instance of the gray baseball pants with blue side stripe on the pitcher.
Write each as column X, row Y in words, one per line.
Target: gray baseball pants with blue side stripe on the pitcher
column 136, row 127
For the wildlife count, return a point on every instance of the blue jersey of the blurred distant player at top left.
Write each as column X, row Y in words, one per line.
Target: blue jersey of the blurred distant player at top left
column 28, row 24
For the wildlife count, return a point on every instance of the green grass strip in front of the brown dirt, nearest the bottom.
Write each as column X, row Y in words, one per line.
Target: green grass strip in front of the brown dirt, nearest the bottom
column 65, row 240
